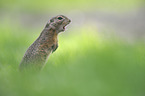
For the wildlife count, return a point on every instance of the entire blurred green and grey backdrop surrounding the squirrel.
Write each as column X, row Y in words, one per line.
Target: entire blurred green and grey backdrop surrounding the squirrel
column 101, row 54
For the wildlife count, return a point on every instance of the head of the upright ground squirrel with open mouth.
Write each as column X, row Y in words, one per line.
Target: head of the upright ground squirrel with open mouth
column 58, row 23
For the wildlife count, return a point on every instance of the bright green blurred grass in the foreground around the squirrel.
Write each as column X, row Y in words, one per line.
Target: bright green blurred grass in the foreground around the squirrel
column 83, row 65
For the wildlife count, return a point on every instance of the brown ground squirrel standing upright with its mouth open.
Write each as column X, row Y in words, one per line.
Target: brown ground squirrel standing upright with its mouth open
column 37, row 54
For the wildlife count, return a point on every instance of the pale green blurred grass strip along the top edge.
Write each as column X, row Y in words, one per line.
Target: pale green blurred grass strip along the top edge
column 67, row 5
